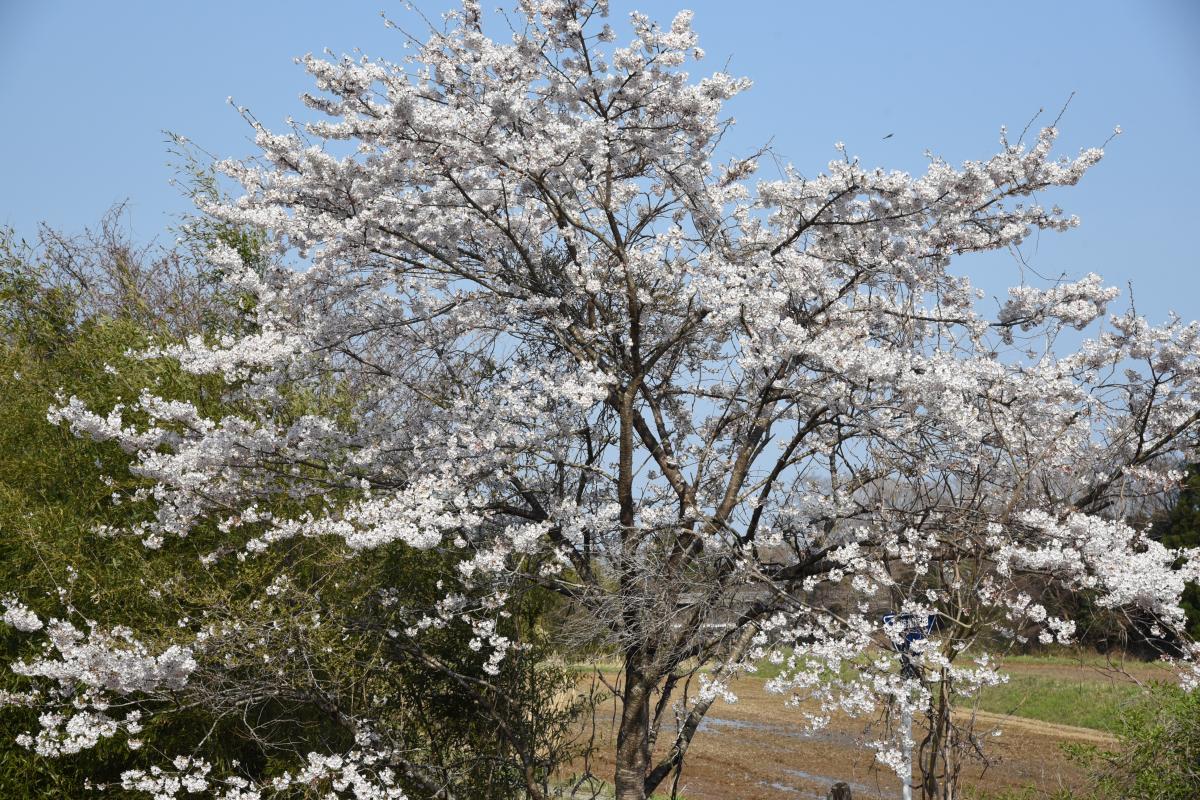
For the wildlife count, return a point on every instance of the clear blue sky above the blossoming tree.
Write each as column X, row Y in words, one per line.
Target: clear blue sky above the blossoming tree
column 88, row 88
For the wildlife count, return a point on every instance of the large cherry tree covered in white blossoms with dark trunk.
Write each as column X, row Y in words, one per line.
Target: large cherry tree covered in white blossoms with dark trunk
column 578, row 353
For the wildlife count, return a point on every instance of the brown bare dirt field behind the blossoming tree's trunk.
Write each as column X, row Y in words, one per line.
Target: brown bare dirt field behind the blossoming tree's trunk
column 758, row 749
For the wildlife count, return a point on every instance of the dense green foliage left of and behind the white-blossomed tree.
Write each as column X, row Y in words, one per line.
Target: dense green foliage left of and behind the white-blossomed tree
column 271, row 691
